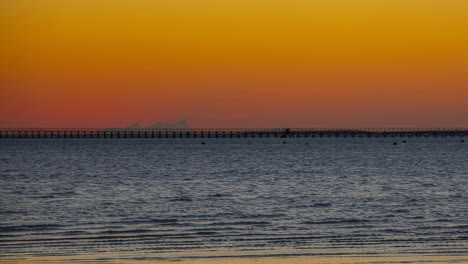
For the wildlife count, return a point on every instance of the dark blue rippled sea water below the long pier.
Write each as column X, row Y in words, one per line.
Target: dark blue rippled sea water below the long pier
column 178, row 199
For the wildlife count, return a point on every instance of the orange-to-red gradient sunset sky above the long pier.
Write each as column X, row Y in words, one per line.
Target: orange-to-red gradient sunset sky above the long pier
column 234, row 63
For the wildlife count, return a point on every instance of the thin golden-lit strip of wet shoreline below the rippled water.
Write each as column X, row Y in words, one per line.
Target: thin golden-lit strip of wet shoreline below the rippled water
column 83, row 259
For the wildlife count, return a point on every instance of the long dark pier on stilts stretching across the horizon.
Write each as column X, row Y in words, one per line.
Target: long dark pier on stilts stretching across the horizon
column 126, row 133
